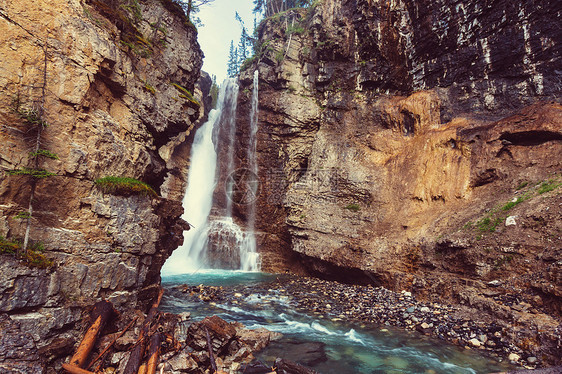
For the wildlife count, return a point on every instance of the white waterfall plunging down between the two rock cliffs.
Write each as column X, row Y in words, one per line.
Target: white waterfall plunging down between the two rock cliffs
column 217, row 241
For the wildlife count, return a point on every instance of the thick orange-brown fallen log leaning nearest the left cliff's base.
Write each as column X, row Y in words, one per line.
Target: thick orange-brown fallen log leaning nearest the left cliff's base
column 101, row 314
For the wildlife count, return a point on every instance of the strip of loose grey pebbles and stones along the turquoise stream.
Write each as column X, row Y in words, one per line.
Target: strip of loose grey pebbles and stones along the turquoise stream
column 376, row 307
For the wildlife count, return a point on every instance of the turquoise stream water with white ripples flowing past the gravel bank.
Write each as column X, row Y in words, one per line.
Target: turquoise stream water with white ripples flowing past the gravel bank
column 328, row 346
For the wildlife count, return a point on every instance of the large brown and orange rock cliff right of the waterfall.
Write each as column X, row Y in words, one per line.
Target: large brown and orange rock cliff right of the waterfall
column 396, row 137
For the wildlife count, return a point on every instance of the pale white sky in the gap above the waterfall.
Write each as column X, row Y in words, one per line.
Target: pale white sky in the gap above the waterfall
column 219, row 28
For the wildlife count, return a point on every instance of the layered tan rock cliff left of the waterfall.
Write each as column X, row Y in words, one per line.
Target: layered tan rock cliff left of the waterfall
column 113, row 82
